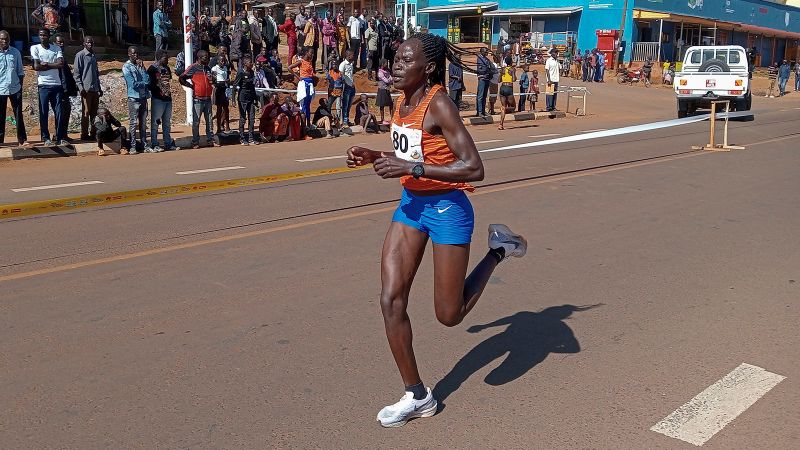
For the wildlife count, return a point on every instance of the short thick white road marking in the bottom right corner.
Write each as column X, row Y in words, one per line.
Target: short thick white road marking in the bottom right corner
column 703, row 416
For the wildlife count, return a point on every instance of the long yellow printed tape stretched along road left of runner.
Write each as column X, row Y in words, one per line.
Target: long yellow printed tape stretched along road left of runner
column 113, row 198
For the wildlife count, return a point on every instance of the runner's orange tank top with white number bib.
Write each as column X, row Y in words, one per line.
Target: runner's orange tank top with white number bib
column 412, row 143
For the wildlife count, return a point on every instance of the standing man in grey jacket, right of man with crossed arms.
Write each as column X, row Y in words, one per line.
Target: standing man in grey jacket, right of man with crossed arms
column 87, row 79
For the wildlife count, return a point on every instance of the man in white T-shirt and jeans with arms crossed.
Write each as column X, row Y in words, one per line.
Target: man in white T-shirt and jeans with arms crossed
column 47, row 61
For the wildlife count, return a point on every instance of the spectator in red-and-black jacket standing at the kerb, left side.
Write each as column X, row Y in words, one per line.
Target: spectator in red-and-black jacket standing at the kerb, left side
column 198, row 78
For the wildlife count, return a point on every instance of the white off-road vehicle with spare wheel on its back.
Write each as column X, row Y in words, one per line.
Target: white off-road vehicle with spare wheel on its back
column 714, row 72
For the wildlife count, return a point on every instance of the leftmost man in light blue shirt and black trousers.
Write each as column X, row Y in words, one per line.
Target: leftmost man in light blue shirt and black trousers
column 11, row 77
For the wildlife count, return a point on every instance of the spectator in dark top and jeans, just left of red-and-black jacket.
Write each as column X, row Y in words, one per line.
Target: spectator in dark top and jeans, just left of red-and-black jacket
column 161, row 106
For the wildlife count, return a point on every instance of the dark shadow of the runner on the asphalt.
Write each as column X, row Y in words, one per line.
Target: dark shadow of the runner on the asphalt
column 528, row 339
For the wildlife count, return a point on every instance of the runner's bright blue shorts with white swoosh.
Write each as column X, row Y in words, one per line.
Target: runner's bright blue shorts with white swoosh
column 447, row 218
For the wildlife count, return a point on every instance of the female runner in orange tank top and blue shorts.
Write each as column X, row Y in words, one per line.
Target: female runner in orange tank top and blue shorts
column 435, row 159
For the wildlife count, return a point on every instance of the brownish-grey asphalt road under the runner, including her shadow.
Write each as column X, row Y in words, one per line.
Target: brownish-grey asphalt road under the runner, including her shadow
column 248, row 318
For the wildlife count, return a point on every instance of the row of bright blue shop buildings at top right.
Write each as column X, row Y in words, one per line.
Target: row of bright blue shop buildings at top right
column 662, row 29
